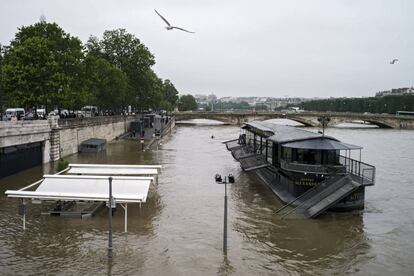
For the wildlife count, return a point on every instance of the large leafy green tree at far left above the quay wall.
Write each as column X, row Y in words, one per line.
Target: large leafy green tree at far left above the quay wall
column 42, row 66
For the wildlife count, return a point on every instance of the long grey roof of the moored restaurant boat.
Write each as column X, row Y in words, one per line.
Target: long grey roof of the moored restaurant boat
column 294, row 137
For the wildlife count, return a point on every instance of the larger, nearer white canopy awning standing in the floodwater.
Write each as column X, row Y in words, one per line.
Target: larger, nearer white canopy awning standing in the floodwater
column 125, row 189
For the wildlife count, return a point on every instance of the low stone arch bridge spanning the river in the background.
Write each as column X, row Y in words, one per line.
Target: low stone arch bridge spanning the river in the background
column 306, row 118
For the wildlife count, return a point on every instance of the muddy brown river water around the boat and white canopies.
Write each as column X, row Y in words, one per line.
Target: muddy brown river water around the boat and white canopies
column 179, row 230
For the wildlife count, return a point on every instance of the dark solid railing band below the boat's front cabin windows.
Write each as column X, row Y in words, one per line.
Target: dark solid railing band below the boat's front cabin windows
column 312, row 168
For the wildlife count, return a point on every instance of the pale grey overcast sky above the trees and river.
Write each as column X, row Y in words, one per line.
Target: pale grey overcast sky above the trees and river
column 251, row 48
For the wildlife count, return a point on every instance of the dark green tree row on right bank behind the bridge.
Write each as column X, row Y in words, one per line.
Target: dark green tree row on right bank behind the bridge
column 387, row 104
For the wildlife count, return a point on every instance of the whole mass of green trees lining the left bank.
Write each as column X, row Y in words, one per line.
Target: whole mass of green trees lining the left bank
column 44, row 66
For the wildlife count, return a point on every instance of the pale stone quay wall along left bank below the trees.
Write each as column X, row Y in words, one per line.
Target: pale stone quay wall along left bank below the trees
column 62, row 137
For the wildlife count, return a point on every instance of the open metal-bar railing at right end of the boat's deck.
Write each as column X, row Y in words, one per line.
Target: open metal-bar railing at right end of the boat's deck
column 361, row 172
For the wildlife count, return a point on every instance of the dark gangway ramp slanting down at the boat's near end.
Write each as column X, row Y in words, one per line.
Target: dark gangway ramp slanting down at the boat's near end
column 322, row 197
